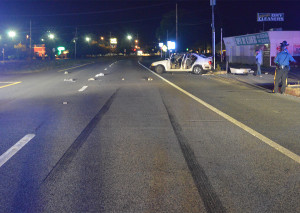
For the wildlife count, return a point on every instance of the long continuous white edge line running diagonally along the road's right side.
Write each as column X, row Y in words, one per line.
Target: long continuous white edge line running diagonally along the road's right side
column 261, row 137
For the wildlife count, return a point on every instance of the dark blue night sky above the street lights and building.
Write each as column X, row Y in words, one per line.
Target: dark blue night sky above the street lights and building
column 143, row 18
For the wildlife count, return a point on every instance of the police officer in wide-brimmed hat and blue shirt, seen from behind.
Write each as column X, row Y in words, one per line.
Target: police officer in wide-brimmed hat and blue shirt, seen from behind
column 282, row 62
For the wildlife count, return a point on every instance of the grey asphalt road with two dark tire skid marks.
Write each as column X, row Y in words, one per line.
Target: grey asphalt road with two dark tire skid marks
column 126, row 143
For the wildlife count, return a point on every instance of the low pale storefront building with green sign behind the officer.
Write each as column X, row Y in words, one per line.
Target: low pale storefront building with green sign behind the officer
column 241, row 49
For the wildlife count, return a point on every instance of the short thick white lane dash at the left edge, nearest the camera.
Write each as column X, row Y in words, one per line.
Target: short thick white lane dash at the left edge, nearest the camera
column 15, row 148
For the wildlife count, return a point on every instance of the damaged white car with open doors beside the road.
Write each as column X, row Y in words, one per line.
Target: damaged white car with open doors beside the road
column 183, row 62
